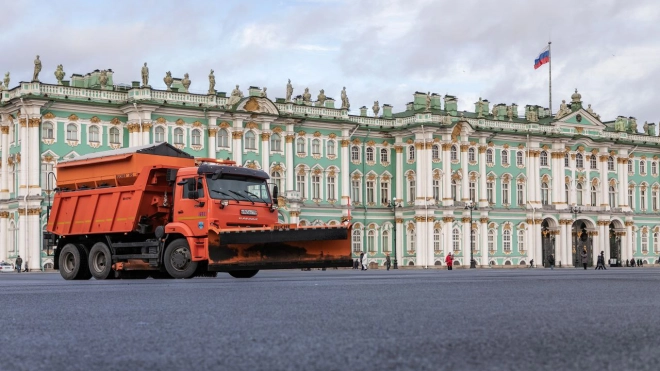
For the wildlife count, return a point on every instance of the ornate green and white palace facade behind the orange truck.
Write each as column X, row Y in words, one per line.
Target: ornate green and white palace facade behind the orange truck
column 540, row 183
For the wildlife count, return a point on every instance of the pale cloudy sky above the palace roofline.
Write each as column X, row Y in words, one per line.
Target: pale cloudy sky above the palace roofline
column 381, row 50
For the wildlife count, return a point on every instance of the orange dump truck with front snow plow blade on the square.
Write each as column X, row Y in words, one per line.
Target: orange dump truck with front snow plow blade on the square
column 156, row 211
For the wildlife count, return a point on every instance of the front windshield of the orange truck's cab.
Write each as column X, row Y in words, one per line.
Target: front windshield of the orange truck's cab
column 238, row 188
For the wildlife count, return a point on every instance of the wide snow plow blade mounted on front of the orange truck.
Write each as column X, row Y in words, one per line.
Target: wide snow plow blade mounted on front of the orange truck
column 302, row 247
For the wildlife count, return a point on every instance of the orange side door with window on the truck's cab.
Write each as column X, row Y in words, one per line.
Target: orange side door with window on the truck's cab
column 190, row 208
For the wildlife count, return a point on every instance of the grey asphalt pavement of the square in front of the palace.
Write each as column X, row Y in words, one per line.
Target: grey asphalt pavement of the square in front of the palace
column 484, row 319
